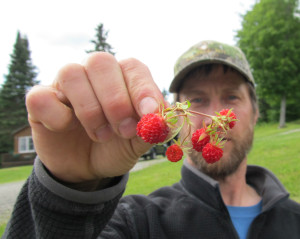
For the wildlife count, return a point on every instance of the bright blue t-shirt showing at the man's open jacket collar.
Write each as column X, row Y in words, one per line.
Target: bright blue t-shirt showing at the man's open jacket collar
column 242, row 217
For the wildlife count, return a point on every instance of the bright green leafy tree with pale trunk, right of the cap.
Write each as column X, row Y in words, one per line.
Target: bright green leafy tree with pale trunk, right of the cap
column 270, row 39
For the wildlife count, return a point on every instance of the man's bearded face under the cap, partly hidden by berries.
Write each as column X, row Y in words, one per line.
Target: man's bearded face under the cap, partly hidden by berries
column 209, row 94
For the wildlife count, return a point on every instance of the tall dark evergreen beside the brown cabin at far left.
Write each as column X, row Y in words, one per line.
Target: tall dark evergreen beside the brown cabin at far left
column 20, row 78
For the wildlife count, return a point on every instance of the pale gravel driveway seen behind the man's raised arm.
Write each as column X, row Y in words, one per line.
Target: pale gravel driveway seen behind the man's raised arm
column 10, row 191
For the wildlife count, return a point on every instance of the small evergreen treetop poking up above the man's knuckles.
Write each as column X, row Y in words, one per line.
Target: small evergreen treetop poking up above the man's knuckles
column 100, row 41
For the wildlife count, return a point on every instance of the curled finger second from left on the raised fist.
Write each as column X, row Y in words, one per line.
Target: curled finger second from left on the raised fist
column 73, row 83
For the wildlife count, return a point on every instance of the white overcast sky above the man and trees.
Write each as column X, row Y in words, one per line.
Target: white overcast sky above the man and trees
column 156, row 32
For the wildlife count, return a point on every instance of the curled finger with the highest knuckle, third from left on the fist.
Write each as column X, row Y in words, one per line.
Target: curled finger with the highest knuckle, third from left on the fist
column 106, row 79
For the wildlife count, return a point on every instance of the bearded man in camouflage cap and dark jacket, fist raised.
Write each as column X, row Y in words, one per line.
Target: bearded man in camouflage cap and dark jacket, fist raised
column 84, row 133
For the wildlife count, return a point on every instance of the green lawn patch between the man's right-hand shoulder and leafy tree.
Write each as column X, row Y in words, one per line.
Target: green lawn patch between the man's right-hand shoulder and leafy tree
column 279, row 151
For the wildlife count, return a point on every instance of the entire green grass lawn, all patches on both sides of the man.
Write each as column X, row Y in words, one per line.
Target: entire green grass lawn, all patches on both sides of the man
column 275, row 149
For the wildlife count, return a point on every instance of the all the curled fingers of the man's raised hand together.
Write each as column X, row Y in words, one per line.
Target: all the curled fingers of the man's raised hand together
column 107, row 97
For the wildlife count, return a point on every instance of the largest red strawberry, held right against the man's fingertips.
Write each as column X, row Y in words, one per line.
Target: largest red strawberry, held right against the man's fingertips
column 152, row 128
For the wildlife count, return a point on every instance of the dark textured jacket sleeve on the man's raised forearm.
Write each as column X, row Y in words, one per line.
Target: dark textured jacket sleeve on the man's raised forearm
column 48, row 209
